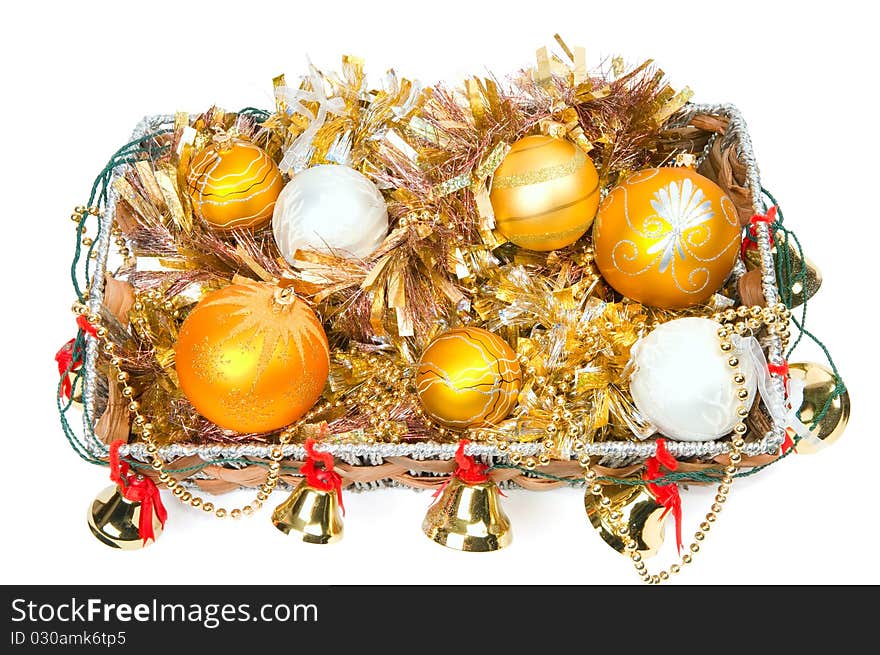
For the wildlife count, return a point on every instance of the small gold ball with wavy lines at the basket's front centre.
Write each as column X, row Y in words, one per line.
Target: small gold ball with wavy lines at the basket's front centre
column 468, row 377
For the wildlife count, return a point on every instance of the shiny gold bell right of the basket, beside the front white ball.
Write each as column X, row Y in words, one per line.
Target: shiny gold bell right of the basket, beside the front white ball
column 819, row 383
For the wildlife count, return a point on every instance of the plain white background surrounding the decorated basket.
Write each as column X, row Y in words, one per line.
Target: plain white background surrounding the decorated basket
column 78, row 76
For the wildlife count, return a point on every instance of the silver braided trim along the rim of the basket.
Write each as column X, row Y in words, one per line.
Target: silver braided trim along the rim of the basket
column 737, row 136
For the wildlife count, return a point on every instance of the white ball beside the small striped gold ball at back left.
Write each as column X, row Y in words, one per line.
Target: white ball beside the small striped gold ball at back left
column 331, row 209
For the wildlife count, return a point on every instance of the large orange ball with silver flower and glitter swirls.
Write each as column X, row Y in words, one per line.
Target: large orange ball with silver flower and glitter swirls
column 667, row 237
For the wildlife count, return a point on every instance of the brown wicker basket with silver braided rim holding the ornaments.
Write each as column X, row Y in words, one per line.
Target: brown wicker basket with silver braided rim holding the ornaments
column 715, row 134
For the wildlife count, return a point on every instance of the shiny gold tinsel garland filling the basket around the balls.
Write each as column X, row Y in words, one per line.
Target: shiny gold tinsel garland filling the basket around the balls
column 443, row 264
